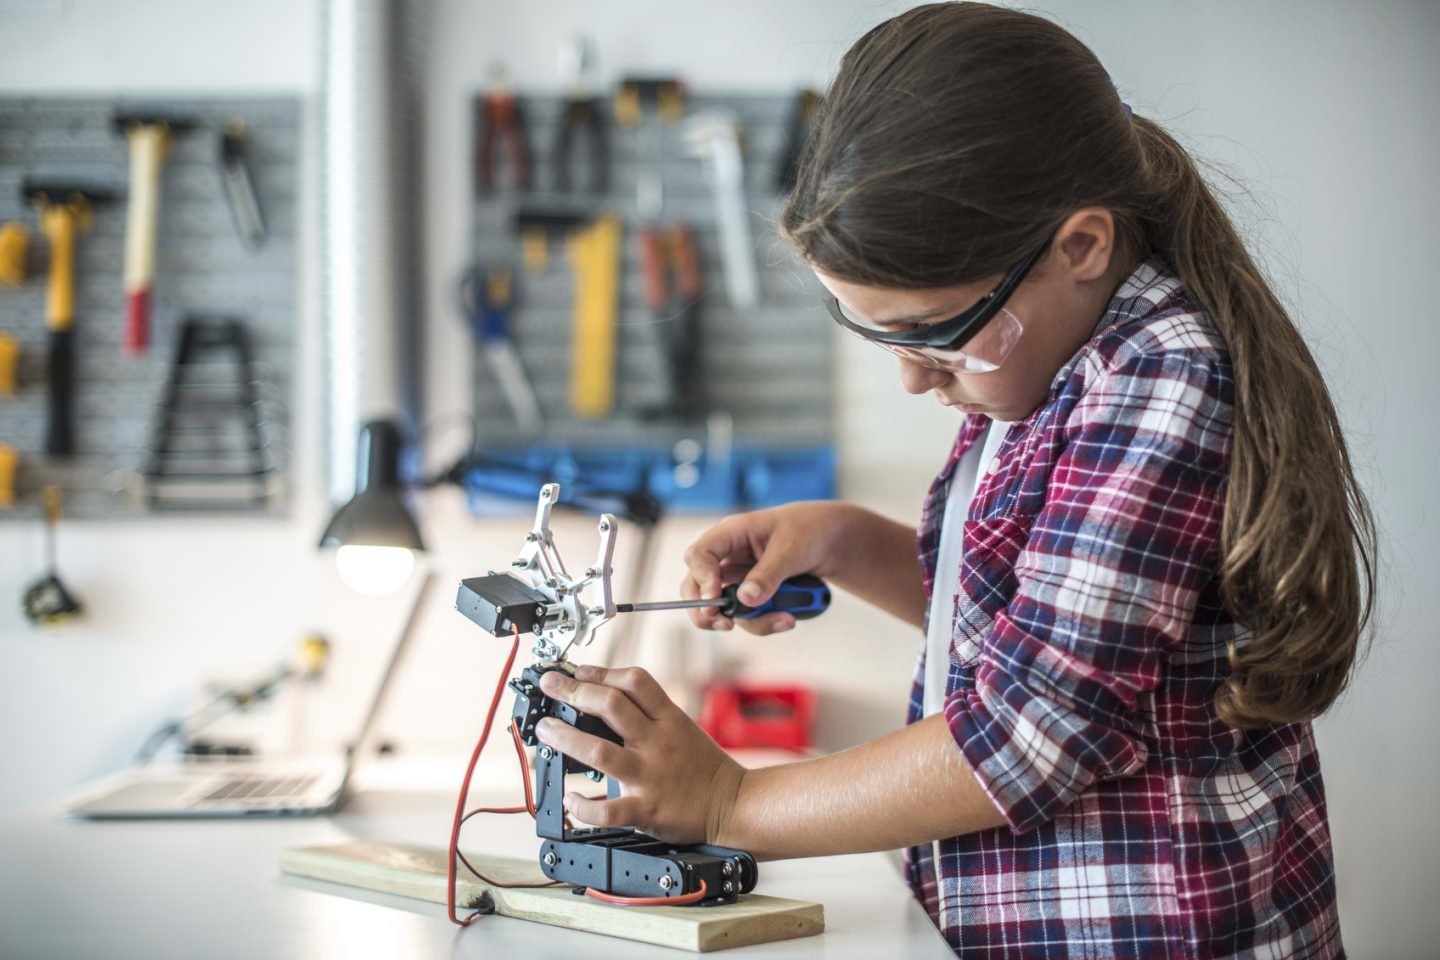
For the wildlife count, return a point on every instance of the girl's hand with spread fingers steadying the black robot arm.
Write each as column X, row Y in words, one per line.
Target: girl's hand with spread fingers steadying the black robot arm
column 678, row 784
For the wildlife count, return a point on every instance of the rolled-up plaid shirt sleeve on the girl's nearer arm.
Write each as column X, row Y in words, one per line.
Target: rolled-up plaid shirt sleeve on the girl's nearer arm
column 1107, row 584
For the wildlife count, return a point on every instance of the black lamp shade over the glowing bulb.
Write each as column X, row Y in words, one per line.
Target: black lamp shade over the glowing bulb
column 377, row 516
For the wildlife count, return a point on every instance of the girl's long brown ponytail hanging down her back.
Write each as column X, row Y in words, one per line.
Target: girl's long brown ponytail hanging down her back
column 1298, row 540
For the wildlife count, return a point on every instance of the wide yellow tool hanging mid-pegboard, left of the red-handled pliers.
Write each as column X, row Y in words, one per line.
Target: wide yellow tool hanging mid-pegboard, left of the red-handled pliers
column 595, row 254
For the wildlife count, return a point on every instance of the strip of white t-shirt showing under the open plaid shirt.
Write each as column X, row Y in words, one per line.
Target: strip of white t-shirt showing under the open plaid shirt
column 973, row 466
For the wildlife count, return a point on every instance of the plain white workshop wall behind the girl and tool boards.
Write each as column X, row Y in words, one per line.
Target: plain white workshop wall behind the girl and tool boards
column 1324, row 110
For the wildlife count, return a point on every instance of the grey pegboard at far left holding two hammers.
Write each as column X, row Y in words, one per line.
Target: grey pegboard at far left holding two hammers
column 202, row 268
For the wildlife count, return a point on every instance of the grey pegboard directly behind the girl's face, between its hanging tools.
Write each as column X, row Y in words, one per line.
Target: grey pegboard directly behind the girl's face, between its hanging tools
column 771, row 368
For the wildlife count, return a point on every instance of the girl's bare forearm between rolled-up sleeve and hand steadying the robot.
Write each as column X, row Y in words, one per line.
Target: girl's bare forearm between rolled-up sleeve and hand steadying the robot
column 908, row 788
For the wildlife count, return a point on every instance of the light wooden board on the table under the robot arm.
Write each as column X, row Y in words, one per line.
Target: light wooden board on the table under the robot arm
column 420, row 873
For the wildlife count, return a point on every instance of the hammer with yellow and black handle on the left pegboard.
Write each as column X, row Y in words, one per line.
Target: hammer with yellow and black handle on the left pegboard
column 66, row 212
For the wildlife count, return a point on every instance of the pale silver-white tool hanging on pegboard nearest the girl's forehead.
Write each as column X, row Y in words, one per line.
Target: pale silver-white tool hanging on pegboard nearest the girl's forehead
column 716, row 139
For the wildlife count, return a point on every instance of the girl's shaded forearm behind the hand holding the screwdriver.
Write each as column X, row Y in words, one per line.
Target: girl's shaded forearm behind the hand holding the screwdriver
column 878, row 563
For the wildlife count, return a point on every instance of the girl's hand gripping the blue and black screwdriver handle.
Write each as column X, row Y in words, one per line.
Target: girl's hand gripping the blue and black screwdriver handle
column 764, row 549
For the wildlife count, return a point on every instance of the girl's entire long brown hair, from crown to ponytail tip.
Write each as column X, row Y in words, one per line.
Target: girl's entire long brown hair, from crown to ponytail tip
column 958, row 136
